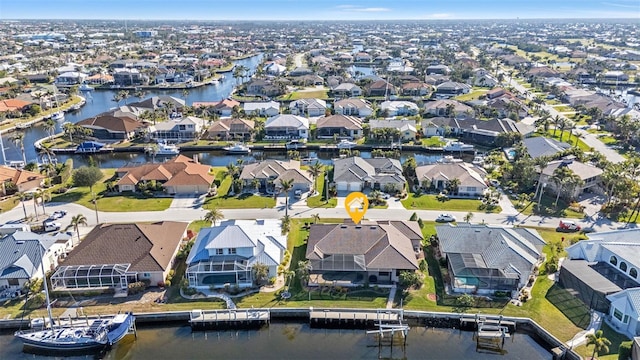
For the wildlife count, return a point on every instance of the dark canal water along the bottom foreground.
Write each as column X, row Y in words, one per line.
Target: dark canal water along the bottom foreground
column 295, row 341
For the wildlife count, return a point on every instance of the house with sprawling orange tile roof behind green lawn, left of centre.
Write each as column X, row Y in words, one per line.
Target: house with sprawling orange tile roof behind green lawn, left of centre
column 180, row 175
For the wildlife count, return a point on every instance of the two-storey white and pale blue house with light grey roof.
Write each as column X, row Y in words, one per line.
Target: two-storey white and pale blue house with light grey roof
column 224, row 255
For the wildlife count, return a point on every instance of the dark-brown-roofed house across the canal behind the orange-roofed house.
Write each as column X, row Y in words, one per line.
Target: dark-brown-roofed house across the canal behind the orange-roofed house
column 106, row 126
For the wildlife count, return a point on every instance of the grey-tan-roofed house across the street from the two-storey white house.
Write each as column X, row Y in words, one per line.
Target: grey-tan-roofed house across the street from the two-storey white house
column 268, row 173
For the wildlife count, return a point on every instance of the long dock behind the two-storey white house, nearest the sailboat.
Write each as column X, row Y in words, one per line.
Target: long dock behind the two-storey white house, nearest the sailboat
column 231, row 318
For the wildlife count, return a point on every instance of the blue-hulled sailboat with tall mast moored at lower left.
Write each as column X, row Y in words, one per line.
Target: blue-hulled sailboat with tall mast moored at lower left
column 99, row 334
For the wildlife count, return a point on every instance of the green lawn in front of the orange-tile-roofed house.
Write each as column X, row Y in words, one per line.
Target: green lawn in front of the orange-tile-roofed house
column 116, row 203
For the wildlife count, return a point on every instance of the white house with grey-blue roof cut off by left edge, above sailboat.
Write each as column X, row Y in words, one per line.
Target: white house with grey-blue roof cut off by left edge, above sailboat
column 21, row 254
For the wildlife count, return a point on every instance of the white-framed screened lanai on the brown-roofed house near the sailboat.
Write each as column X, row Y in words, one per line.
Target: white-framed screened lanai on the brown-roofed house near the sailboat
column 90, row 276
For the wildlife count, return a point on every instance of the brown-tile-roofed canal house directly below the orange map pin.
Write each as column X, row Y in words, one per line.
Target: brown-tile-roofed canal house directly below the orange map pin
column 367, row 253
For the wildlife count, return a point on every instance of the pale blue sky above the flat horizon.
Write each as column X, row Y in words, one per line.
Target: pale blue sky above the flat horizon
column 316, row 9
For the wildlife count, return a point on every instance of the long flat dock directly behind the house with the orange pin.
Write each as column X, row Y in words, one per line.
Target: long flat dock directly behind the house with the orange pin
column 357, row 319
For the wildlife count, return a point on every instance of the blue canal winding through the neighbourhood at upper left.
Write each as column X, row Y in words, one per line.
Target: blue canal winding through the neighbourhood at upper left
column 99, row 101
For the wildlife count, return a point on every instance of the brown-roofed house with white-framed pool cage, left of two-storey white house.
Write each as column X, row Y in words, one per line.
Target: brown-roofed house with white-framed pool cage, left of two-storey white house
column 115, row 255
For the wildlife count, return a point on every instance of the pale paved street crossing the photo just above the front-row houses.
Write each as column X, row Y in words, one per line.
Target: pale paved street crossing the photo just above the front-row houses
column 298, row 211
